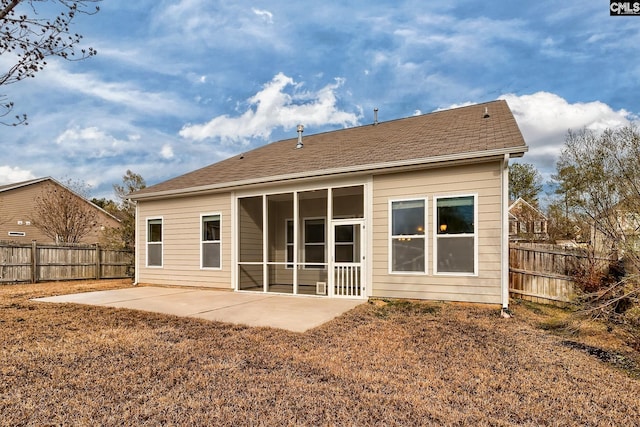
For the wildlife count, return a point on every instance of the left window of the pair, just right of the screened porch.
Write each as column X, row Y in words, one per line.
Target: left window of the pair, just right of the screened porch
column 408, row 243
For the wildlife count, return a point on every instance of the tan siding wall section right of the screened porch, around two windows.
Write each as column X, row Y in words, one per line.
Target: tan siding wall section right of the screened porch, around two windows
column 483, row 179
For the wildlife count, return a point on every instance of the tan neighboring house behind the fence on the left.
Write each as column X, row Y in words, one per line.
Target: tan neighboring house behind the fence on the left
column 17, row 203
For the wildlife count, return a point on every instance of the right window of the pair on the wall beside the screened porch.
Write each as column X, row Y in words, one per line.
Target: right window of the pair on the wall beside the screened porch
column 456, row 234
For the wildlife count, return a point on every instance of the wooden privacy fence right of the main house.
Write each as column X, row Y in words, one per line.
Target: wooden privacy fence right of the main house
column 547, row 273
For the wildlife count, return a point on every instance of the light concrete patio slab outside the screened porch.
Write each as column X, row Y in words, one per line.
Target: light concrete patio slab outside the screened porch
column 293, row 313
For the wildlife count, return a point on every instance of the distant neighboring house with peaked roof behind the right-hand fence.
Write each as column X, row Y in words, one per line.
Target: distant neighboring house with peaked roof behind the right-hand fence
column 526, row 222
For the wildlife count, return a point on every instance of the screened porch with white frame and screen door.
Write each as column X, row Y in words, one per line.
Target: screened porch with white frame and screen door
column 302, row 242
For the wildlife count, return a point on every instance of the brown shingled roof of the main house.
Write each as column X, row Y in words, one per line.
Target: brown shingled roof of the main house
column 469, row 132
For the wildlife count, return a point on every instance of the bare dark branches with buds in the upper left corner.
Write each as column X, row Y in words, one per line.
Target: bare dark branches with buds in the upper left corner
column 30, row 36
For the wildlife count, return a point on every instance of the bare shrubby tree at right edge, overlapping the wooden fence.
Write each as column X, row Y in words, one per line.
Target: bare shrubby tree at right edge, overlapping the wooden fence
column 600, row 170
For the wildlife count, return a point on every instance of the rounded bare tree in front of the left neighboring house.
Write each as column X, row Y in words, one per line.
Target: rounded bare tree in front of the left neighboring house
column 63, row 215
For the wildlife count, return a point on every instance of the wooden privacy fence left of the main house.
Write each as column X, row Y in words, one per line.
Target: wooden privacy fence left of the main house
column 34, row 263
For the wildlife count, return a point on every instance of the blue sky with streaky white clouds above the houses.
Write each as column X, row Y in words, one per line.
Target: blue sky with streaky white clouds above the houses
column 178, row 85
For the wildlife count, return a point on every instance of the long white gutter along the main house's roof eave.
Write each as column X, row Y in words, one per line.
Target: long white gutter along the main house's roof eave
column 335, row 171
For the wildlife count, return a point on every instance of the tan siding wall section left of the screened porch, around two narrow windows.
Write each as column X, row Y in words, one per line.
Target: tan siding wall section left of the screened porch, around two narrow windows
column 181, row 241
